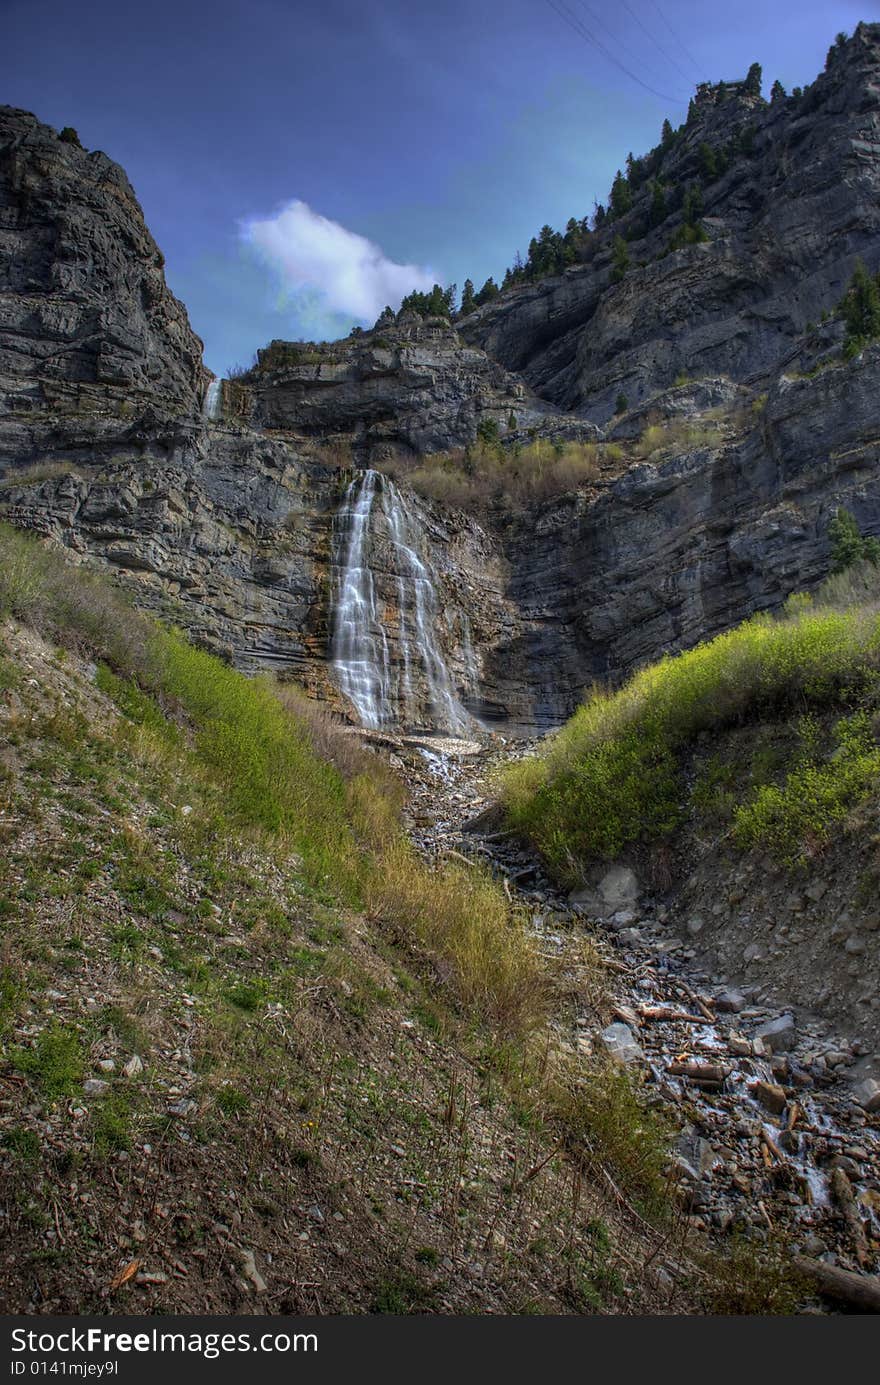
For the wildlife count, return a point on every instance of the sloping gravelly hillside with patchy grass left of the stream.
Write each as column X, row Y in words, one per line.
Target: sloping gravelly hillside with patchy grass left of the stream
column 256, row 1055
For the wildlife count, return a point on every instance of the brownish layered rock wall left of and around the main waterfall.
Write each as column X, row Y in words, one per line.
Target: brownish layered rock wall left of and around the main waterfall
column 238, row 539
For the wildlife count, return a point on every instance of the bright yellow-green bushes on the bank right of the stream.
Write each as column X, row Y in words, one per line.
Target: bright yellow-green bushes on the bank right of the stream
column 613, row 775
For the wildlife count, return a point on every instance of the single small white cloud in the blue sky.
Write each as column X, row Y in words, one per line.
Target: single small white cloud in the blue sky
column 317, row 256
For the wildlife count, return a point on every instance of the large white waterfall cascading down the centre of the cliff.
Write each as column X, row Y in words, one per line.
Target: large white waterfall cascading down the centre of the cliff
column 386, row 650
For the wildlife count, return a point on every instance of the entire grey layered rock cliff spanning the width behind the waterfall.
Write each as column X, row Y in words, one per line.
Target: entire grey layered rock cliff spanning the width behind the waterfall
column 712, row 498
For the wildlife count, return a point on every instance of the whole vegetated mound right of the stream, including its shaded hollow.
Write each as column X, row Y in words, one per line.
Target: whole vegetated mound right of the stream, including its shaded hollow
column 635, row 765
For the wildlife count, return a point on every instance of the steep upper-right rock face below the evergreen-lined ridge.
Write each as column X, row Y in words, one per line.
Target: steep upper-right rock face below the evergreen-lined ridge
column 786, row 222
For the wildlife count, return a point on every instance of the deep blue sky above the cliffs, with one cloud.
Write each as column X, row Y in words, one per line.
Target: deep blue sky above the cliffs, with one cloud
column 444, row 135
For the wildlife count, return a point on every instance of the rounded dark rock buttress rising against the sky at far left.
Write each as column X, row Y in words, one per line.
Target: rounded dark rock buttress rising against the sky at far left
column 92, row 343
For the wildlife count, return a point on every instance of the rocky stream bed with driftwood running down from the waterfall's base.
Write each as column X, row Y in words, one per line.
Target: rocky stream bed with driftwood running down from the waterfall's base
column 773, row 1141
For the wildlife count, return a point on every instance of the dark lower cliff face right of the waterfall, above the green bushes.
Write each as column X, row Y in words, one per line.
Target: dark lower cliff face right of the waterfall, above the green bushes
column 696, row 538
